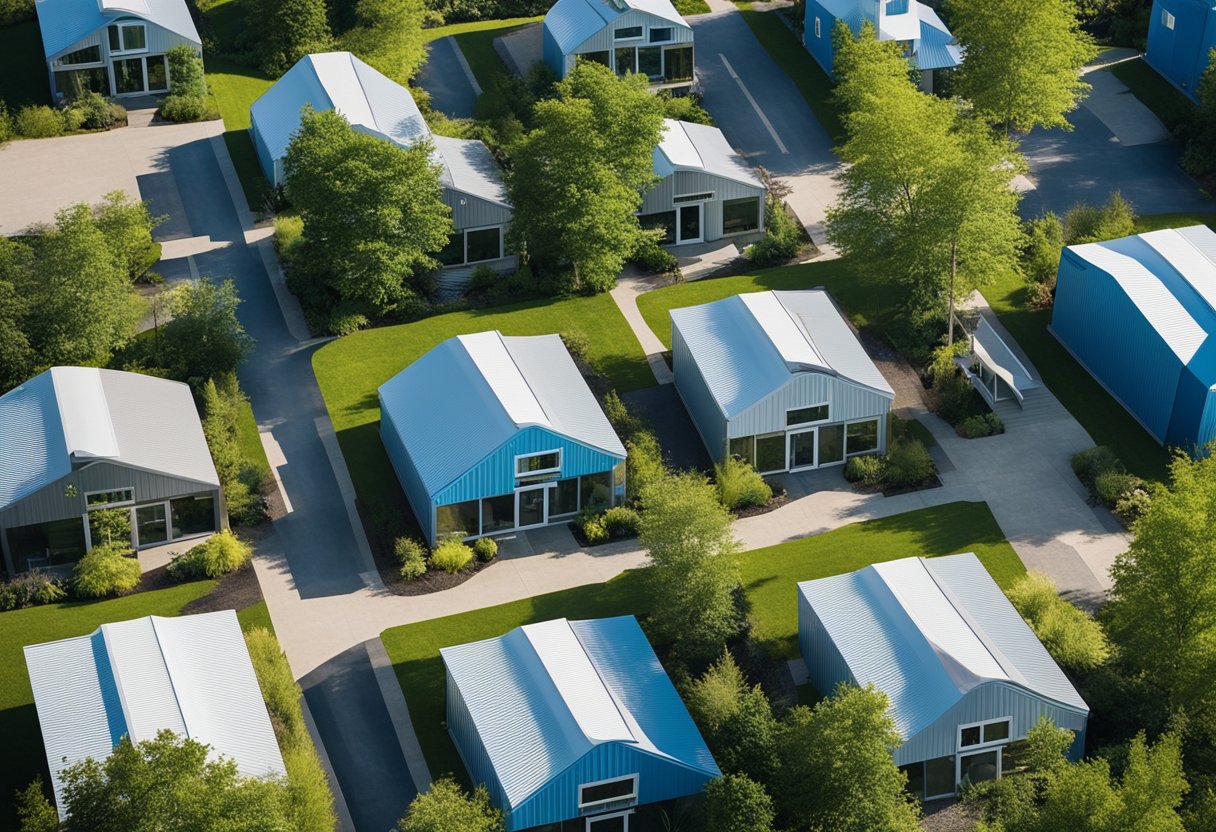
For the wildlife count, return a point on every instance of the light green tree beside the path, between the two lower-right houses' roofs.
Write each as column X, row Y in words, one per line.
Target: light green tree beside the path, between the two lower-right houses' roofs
column 694, row 565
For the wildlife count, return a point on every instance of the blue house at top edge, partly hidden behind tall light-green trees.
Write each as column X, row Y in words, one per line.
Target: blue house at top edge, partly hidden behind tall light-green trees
column 927, row 42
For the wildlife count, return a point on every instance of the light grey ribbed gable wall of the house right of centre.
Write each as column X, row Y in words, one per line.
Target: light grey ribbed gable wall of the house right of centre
column 848, row 402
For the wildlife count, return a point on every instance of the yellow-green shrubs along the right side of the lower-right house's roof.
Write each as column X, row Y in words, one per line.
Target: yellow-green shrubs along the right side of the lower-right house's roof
column 1072, row 637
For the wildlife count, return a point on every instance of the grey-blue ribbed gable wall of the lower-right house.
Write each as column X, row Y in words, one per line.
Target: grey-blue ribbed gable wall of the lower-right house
column 994, row 700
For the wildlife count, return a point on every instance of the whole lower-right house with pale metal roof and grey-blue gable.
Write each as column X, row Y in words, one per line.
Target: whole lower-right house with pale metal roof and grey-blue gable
column 965, row 676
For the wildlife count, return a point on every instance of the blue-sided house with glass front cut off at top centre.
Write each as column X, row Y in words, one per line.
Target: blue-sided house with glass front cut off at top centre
column 627, row 36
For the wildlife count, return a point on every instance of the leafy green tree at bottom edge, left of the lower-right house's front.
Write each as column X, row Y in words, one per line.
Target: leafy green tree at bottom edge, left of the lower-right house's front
column 837, row 772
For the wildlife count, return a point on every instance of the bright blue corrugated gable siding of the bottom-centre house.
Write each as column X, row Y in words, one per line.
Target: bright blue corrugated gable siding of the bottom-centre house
column 658, row 780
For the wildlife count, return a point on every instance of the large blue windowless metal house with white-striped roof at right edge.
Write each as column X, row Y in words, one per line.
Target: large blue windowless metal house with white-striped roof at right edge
column 1139, row 314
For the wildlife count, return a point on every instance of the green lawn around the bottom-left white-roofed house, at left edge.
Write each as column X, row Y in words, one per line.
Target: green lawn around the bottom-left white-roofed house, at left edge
column 21, row 754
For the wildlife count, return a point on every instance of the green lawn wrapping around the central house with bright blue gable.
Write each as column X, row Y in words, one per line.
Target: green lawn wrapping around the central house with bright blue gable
column 351, row 369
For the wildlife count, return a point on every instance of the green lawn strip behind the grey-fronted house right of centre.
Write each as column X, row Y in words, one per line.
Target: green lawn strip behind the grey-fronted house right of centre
column 863, row 303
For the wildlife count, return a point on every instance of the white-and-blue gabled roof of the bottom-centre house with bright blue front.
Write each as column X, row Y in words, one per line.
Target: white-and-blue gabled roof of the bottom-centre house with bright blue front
column 545, row 695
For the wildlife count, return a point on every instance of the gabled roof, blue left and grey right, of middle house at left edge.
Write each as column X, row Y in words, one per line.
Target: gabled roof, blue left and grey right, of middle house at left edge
column 70, row 417
